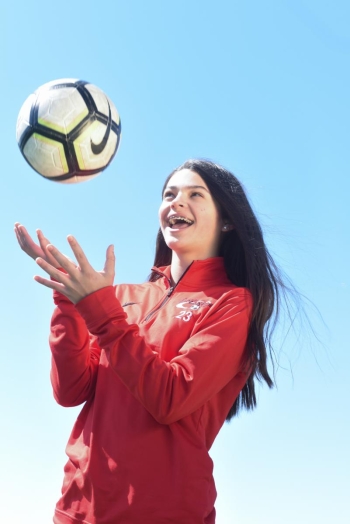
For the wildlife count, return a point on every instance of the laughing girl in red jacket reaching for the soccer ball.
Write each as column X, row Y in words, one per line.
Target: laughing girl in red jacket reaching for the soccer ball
column 159, row 366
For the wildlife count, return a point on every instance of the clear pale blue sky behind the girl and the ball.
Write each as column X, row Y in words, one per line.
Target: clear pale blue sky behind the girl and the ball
column 261, row 87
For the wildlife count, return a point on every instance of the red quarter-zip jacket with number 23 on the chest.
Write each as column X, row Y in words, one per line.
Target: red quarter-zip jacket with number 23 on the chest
column 158, row 369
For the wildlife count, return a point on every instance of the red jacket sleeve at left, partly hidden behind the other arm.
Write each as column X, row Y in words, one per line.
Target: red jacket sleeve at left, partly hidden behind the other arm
column 75, row 355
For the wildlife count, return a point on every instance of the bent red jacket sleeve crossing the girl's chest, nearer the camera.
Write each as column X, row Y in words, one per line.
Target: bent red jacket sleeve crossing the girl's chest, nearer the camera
column 204, row 366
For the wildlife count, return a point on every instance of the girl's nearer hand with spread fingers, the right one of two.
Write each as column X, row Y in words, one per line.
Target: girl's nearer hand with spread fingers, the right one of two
column 79, row 280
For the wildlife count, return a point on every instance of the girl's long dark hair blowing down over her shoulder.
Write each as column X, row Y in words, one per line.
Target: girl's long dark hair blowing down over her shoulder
column 248, row 264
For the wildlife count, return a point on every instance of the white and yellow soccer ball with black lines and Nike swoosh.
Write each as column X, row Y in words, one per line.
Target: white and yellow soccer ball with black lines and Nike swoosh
column 68, row 130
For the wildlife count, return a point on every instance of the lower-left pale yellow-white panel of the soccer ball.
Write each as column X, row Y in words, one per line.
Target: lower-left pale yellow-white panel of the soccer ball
column 46, row 156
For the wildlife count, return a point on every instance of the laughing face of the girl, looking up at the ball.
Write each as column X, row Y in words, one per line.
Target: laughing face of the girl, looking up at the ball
column 189, row 217
